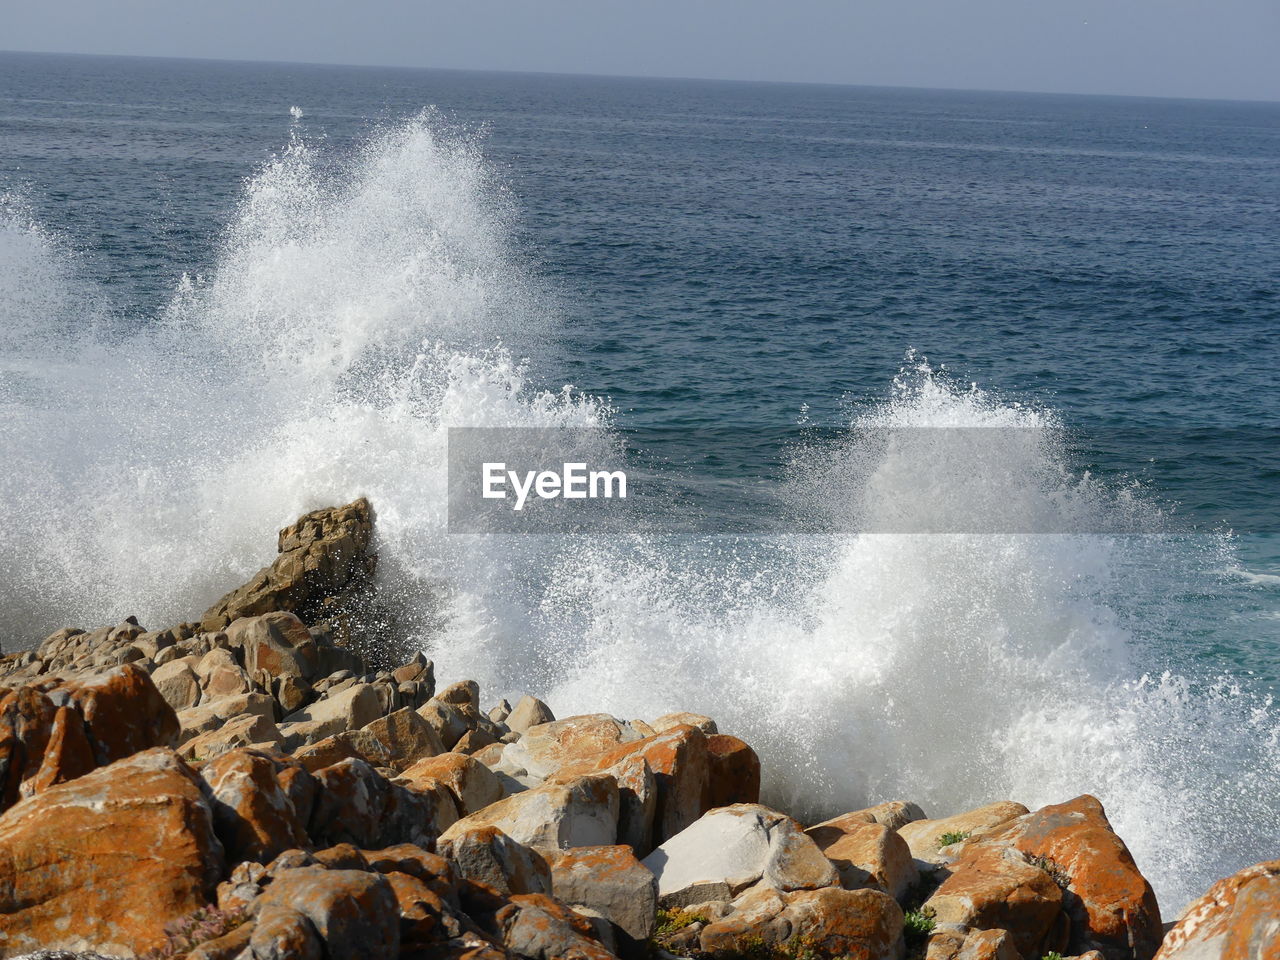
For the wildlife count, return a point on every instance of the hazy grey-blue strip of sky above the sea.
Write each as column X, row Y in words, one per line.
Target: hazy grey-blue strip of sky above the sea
column 1220, row 49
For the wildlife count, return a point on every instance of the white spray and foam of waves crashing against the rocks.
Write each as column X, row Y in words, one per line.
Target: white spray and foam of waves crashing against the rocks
column 363, row 305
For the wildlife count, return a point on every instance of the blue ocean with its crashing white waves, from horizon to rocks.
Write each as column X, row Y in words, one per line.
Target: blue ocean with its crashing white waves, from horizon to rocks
column 234, row 292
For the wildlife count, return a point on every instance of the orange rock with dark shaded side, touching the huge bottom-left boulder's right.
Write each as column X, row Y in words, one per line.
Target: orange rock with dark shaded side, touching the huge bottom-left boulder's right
column 253, row 815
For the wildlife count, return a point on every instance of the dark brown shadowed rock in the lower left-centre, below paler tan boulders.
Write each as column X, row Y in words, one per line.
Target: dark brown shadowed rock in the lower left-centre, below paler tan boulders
column 359, row 806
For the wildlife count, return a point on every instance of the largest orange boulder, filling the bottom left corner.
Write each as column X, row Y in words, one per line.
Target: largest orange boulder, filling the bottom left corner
column 108, row 860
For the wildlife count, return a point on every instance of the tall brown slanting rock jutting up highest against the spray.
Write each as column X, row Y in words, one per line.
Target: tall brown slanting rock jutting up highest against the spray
column 323, row 568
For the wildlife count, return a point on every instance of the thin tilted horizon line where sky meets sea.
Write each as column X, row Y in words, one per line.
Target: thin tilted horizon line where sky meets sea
column 636, row 76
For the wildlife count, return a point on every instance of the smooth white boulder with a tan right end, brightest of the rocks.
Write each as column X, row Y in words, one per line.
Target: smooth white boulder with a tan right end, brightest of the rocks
column 735, row 848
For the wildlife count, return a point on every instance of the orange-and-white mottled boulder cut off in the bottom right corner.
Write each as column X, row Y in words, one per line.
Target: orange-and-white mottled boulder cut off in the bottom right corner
column 1238, row 918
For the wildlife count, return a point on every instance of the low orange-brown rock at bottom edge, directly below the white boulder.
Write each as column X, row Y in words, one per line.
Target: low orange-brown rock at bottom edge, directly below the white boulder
column 862, row 925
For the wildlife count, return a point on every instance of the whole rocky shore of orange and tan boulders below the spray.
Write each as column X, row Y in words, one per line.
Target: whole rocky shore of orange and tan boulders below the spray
column 282, row 781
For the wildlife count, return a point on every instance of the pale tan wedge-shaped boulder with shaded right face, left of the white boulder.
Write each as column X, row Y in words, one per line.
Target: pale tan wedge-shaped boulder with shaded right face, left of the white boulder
column 582, row 812
